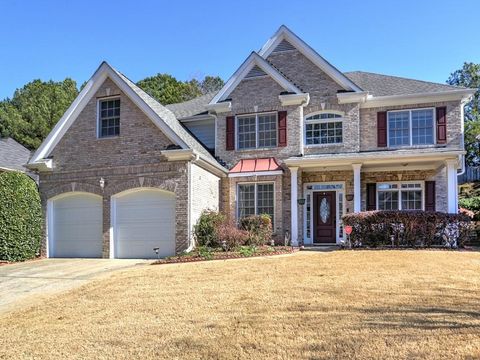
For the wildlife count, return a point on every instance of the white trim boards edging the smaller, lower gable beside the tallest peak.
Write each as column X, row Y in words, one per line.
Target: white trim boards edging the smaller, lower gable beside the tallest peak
column 244, row 69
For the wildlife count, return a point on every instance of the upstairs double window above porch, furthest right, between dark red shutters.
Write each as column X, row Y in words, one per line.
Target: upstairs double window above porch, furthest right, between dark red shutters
column 411, row 127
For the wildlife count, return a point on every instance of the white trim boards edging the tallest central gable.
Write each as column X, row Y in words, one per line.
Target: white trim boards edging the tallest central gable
column 284, row 33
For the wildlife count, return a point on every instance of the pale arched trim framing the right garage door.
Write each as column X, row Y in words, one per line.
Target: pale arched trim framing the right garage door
column 114, row 236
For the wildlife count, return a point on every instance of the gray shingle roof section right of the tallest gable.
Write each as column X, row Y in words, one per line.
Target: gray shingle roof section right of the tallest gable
column 385, row 85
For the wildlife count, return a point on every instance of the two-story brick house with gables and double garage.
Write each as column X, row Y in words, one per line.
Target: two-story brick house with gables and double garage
column 292, row 137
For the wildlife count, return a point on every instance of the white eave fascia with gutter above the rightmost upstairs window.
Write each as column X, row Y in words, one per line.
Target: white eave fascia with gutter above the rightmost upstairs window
column 392, row 100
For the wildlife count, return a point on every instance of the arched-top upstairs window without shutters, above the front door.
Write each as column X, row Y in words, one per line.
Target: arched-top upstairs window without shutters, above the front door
column 324, row 128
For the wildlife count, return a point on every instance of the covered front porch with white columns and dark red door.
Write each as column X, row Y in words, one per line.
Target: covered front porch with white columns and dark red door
column 329, row 186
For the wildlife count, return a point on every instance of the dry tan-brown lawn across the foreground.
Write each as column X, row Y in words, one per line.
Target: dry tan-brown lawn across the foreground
column 343, row 304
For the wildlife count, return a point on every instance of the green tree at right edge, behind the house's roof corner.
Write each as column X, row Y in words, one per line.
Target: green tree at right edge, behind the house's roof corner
column 469, row 76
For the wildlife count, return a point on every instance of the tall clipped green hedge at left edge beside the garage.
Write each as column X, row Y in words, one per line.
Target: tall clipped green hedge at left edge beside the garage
column 20, row 217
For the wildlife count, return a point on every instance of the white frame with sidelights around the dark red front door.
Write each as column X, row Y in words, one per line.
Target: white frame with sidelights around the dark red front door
column 309, row 240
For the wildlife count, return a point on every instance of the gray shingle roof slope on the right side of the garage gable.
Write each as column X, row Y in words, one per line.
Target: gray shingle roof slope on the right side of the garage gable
column 169, row 118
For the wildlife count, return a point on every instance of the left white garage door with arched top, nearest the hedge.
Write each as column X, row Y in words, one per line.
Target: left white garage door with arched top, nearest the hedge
column 76, row 226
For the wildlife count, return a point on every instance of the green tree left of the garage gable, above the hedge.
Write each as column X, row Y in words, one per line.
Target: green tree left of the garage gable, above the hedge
column 35, row 109
